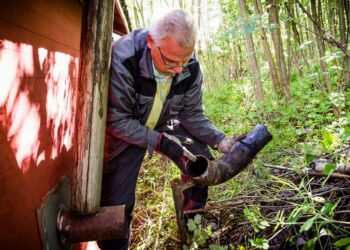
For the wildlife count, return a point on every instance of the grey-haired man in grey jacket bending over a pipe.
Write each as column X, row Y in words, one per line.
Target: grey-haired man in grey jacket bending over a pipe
column 154, row 98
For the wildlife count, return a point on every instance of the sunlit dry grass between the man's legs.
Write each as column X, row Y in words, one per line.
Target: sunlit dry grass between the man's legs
column 154, row 215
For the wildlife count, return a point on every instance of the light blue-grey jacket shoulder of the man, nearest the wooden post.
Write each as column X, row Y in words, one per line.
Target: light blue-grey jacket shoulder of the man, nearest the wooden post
column 131, row 43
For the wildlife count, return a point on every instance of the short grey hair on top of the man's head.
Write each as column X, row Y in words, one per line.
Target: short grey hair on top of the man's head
column 178, row 24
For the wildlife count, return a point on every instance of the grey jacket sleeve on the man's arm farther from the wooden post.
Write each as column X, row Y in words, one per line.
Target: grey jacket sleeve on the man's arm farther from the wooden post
column 192, row 115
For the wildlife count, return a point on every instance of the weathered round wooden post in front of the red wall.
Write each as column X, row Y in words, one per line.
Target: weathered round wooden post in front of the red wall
column 96, row 38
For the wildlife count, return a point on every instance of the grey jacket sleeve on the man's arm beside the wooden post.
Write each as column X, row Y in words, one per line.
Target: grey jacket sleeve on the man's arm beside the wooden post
column 121, row 102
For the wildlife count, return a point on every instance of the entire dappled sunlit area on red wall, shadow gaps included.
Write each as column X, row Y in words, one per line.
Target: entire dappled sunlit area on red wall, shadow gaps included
column 25, row 117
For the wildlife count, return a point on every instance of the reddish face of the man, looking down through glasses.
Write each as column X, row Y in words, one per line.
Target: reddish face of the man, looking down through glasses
column 168, row 57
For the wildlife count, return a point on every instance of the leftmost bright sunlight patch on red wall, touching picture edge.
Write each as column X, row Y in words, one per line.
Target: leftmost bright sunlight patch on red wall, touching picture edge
column 21, row 115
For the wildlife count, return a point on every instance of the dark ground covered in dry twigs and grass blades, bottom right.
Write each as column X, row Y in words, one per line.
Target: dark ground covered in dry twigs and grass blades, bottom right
column 286, row 210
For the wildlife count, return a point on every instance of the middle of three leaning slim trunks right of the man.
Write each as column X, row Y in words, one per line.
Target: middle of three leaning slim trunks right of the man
column 274, row 76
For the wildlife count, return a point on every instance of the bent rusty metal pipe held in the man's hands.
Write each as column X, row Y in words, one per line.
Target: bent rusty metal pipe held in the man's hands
column 209, row 173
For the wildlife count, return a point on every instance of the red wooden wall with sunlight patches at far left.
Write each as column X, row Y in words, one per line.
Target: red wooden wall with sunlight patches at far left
column 39, row 59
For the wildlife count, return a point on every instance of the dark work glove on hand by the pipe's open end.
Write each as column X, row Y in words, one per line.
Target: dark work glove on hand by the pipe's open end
column 171, row 147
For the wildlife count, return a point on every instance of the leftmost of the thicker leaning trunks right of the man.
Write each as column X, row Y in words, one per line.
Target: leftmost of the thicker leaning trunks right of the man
column 254, row 67
